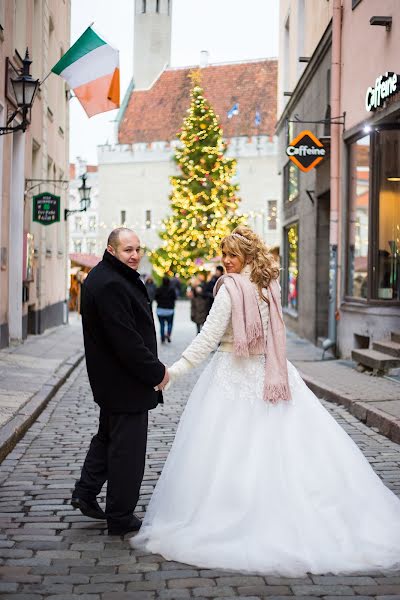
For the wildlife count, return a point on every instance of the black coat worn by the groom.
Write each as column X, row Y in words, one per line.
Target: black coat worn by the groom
column 120, row 339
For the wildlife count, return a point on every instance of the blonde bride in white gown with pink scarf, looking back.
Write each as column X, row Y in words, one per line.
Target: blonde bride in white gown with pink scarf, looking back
column 260, row 477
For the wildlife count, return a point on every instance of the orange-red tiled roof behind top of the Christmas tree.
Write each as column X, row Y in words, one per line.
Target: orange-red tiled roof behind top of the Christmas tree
column 157, row 114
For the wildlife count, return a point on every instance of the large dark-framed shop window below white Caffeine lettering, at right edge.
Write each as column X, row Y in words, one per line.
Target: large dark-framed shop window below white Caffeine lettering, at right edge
column 373, row 271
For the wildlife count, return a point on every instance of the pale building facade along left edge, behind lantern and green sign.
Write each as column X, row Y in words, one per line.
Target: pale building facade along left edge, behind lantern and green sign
column 33, row 272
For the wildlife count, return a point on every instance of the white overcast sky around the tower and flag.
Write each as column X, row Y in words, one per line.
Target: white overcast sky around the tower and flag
column 230, row 30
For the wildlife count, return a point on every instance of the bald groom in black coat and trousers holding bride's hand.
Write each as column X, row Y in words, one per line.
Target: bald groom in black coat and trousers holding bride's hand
column 123, row 369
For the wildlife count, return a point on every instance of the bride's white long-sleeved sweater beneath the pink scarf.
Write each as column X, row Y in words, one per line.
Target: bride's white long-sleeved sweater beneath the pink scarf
column 216, row 331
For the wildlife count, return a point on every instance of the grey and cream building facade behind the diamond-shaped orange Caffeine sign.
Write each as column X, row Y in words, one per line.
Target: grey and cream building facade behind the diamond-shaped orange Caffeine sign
column 304, row 100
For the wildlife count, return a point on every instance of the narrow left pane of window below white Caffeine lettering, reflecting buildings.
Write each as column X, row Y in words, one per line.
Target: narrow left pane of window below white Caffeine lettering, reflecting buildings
column 358, row 219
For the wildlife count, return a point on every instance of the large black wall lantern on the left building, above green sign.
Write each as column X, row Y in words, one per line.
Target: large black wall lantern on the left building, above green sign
column 24, row 88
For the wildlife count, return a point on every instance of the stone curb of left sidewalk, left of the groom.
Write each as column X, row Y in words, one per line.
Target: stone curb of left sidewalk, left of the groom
column 12, row 431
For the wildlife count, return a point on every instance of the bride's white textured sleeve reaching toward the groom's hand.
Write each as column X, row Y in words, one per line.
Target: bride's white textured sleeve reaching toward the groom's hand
column 208, row 338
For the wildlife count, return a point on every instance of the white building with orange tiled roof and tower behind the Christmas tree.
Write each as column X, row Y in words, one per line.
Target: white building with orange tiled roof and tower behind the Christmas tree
column 134, row 173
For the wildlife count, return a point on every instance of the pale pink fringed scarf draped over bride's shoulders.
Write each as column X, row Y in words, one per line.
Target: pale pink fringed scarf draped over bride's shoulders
column 248, row 331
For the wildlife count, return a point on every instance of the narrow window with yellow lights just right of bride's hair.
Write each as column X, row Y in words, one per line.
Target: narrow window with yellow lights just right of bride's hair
column 291, row 281
